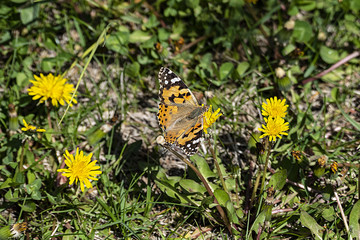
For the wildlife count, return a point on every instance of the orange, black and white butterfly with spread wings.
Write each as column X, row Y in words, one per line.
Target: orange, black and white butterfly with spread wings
column 180, row 116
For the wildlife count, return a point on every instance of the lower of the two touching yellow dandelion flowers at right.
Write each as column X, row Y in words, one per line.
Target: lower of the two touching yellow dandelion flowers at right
column 275, row 127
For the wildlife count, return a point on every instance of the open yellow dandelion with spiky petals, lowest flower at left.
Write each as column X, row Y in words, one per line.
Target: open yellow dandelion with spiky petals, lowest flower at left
column 81, row 169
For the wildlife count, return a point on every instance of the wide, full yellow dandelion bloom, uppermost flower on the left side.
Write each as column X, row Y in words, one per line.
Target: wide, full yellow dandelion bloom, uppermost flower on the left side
column 56, row 88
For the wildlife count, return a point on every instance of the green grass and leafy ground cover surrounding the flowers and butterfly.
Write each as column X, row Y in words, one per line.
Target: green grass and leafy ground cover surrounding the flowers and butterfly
column 228, row 53
